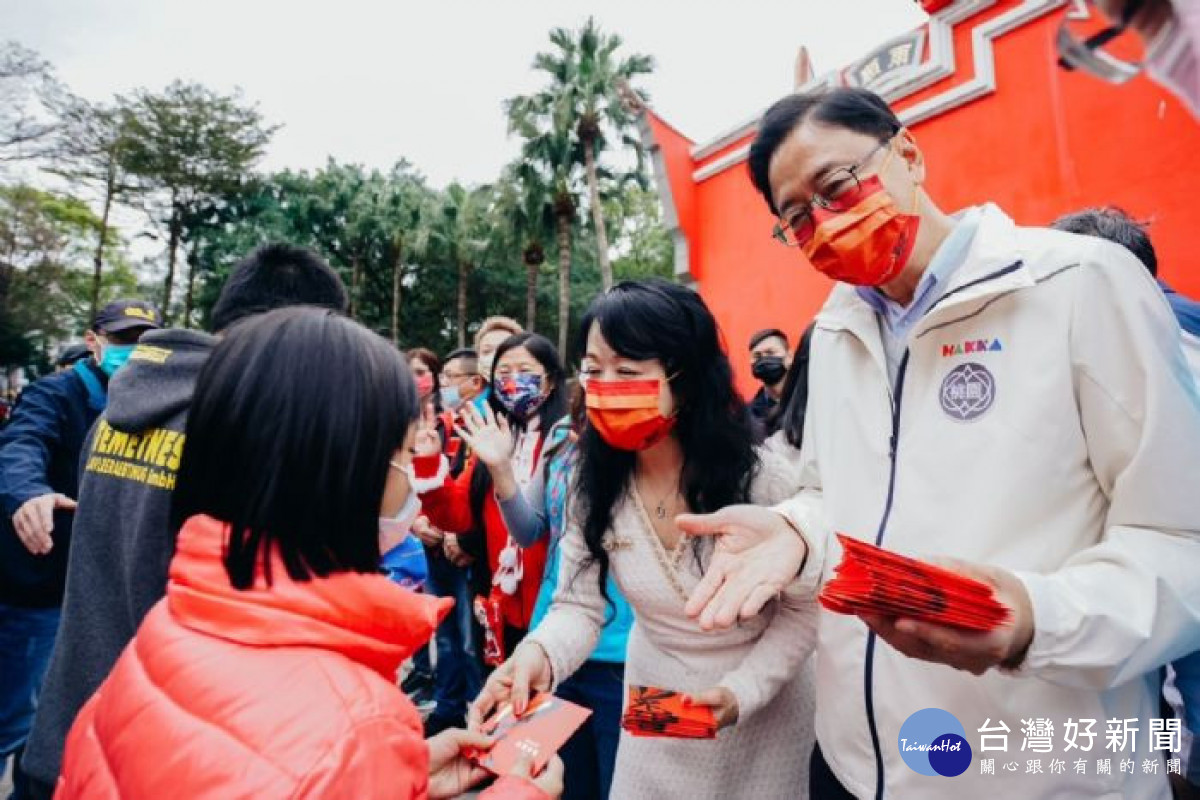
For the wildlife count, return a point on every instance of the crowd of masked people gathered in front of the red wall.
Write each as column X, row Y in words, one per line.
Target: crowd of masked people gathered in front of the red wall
column 281, row 558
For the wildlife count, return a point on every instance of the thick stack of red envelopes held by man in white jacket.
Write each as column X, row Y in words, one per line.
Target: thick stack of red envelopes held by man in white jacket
column 875, row 581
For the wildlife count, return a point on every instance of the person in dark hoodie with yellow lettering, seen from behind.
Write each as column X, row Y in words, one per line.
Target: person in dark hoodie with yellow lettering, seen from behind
column 124, row 540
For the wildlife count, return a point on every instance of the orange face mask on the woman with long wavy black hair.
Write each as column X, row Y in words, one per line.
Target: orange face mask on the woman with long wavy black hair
column 626, row 413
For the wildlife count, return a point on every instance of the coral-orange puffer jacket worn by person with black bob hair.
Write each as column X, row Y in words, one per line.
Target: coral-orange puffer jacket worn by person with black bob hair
column 281, row 691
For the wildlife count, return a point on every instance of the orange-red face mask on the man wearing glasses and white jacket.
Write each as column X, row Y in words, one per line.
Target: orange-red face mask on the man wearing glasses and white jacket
column 868, row 245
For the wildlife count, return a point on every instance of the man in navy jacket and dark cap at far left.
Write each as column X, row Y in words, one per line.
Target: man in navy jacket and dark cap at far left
column 39, row 479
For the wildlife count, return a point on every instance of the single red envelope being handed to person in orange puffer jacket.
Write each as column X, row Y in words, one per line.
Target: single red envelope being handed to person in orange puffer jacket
column 545, row 727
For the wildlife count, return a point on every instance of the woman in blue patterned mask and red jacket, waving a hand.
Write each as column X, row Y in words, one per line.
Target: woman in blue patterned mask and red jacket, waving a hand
column 527, row 408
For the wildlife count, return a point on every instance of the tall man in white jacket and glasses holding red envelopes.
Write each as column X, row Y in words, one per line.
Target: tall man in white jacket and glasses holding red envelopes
column 1012, row 400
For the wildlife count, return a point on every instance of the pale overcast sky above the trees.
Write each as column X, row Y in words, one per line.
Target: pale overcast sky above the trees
column 370, row 82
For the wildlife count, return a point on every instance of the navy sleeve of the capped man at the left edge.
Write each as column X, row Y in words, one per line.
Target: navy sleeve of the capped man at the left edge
column 27, row 444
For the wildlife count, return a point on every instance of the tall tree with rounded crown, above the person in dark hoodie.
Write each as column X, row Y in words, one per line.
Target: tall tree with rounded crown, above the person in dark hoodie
column 191, row 147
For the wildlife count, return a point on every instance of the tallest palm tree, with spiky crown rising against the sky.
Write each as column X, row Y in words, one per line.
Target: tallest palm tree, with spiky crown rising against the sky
column 585, row 94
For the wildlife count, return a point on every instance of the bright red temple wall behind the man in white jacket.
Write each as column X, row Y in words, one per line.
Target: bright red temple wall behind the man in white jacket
column 1045, row 143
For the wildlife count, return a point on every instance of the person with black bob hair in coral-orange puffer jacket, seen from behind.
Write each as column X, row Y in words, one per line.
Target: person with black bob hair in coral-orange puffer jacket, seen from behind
column 269, row 670
